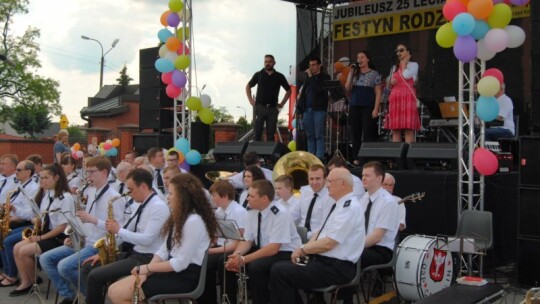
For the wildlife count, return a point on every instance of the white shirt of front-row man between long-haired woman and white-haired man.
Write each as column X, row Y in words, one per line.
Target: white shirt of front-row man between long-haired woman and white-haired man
column 277, row 227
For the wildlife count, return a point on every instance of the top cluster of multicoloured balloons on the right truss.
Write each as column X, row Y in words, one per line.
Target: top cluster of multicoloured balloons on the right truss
column 479, row 28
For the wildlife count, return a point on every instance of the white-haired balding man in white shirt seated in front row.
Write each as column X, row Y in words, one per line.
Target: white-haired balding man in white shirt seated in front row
column 333, row 250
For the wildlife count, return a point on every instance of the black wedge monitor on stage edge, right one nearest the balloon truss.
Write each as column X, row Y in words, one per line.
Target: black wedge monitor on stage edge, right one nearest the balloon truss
column 432, row 156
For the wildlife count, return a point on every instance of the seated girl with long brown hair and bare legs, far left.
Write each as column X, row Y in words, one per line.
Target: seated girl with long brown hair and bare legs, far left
column 55, row 197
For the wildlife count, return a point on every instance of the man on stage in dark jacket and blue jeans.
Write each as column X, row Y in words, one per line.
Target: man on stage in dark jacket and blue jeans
column 312, row 106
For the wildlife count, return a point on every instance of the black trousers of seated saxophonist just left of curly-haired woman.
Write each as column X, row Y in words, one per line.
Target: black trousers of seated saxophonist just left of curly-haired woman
column 97, row 277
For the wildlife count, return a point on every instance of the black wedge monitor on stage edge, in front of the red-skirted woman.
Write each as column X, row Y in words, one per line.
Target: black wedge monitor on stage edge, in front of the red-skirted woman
column 390, row 154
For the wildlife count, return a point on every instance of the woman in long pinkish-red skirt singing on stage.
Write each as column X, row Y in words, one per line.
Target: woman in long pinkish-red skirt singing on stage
column 402, row 108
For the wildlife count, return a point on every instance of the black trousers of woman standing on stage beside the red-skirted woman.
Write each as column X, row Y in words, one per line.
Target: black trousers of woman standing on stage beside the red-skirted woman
column 362, row 124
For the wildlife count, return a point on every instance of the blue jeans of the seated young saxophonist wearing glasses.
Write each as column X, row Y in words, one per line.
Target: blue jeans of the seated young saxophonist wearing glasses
column 61, row 265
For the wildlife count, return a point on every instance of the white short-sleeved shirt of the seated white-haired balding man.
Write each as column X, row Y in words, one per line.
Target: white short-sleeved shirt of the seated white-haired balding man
column 345, row 225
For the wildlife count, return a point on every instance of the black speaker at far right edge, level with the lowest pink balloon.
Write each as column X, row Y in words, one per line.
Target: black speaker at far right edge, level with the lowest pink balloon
column 529, row 162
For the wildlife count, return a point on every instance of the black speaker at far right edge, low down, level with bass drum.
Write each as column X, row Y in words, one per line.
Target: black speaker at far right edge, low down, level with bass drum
column 528, row 262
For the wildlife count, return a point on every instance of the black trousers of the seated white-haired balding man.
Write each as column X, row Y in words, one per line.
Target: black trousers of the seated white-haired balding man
column 287, row 278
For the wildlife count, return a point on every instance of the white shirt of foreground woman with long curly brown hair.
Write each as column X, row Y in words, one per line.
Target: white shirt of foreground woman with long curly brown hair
column 192, row 248
